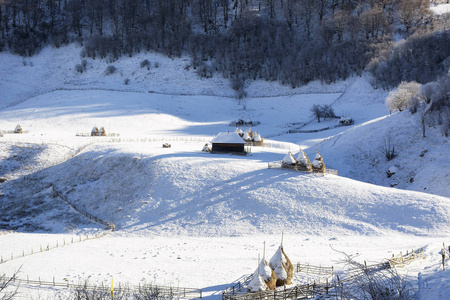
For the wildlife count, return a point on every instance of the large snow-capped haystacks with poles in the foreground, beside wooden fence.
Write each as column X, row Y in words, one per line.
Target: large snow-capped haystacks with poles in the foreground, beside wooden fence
column 278, row 272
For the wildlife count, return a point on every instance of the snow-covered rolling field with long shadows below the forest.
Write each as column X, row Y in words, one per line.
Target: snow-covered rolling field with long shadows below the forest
column 194, row 219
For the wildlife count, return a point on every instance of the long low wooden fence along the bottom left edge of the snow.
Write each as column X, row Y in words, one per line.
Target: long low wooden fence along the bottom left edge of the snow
column 176, row 292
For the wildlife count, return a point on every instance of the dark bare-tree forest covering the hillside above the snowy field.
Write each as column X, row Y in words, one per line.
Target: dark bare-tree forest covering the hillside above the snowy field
column 290, row 41
